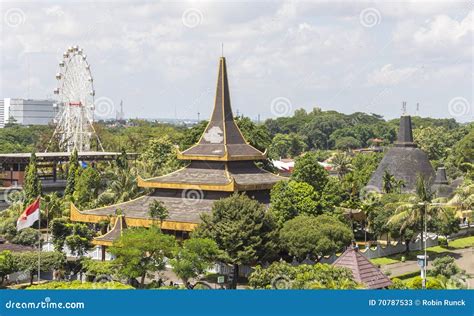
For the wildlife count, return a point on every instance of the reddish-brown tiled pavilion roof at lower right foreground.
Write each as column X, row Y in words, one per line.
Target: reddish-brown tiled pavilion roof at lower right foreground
column 362, row 269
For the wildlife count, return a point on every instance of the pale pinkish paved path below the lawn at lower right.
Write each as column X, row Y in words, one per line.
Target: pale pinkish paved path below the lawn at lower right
column 464, row 259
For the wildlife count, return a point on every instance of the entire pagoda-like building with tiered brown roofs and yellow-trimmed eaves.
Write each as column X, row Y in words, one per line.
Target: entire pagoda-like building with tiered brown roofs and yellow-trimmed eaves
column 221, row 163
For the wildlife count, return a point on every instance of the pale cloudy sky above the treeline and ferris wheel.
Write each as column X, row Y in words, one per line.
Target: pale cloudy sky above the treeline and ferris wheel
column 161, row 58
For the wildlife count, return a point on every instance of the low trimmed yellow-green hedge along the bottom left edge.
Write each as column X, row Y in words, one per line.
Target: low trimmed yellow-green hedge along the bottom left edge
column 77, row 285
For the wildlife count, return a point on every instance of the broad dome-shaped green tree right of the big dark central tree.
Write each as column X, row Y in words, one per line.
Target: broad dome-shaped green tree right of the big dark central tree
column 314, row 237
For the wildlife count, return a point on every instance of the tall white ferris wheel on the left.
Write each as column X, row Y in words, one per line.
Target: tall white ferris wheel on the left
column 75, row 102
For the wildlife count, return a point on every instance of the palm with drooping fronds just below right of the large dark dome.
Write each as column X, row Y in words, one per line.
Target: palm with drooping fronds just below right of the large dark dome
column 417, row 210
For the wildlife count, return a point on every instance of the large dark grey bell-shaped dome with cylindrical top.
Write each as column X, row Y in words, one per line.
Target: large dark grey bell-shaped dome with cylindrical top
column 404, row 161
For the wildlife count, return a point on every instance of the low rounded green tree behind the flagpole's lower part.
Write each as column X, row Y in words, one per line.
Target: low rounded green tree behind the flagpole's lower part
column 28, row 262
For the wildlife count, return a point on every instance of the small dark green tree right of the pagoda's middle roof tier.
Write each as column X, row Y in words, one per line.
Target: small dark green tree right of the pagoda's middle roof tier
column 307, row 169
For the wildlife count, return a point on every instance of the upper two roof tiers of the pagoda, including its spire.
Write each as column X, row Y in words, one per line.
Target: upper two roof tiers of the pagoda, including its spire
column 221, row 160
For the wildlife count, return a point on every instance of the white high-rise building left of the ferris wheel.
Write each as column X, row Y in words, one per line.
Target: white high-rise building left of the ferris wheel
column 26, row 111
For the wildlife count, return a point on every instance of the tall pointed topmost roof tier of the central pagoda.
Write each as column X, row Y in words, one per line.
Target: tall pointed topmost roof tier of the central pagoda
column 222, row 139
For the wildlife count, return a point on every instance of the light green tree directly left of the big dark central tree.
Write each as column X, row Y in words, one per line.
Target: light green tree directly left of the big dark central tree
column 194, row 258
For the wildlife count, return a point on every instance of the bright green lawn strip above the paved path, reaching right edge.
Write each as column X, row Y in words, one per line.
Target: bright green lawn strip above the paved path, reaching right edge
column 460, row 243
